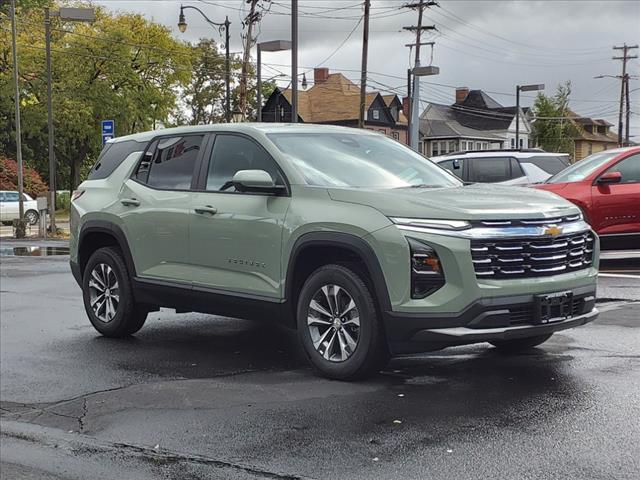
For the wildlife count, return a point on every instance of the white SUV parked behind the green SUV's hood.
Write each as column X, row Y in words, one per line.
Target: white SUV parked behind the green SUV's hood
column 510, row 167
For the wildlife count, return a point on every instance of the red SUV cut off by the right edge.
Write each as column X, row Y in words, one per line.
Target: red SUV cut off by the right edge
column 606, row 186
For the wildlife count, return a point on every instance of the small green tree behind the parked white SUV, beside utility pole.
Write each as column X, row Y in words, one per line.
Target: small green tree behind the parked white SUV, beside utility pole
column 553, row 130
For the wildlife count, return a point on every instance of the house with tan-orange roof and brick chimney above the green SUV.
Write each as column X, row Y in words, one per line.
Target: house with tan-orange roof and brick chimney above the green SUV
column 334, row 99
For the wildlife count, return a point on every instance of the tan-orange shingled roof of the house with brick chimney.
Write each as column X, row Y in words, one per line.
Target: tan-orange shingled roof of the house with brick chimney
column 334, row 100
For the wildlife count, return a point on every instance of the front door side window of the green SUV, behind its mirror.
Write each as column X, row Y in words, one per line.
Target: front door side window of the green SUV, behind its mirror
column 232, row 153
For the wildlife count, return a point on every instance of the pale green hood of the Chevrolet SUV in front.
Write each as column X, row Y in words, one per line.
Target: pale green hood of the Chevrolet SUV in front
column 471, row 202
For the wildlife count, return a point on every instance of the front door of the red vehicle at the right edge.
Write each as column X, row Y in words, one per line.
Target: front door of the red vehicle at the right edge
column 616, row 206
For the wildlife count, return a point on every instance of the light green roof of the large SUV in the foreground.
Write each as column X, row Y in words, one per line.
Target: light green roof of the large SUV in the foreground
column 248, row 128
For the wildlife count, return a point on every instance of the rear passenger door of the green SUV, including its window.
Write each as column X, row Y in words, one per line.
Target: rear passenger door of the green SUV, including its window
column 154, row 207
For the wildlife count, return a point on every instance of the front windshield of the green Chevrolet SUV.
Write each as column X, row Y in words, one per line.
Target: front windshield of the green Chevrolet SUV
column 356, row 160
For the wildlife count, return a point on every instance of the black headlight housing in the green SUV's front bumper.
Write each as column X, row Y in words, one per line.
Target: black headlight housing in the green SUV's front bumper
column 427, row 275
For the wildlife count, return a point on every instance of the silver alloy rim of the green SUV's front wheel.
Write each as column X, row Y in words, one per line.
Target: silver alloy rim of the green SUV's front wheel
column 334, row 323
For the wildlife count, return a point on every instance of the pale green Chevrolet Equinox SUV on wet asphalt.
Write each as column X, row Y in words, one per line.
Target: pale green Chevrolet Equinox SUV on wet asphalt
column 363, row 246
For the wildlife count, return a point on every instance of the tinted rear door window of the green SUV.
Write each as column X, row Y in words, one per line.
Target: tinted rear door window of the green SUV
column 171, row 163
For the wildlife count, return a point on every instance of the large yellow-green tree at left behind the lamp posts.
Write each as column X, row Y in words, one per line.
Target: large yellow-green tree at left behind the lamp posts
column 121, row 67
